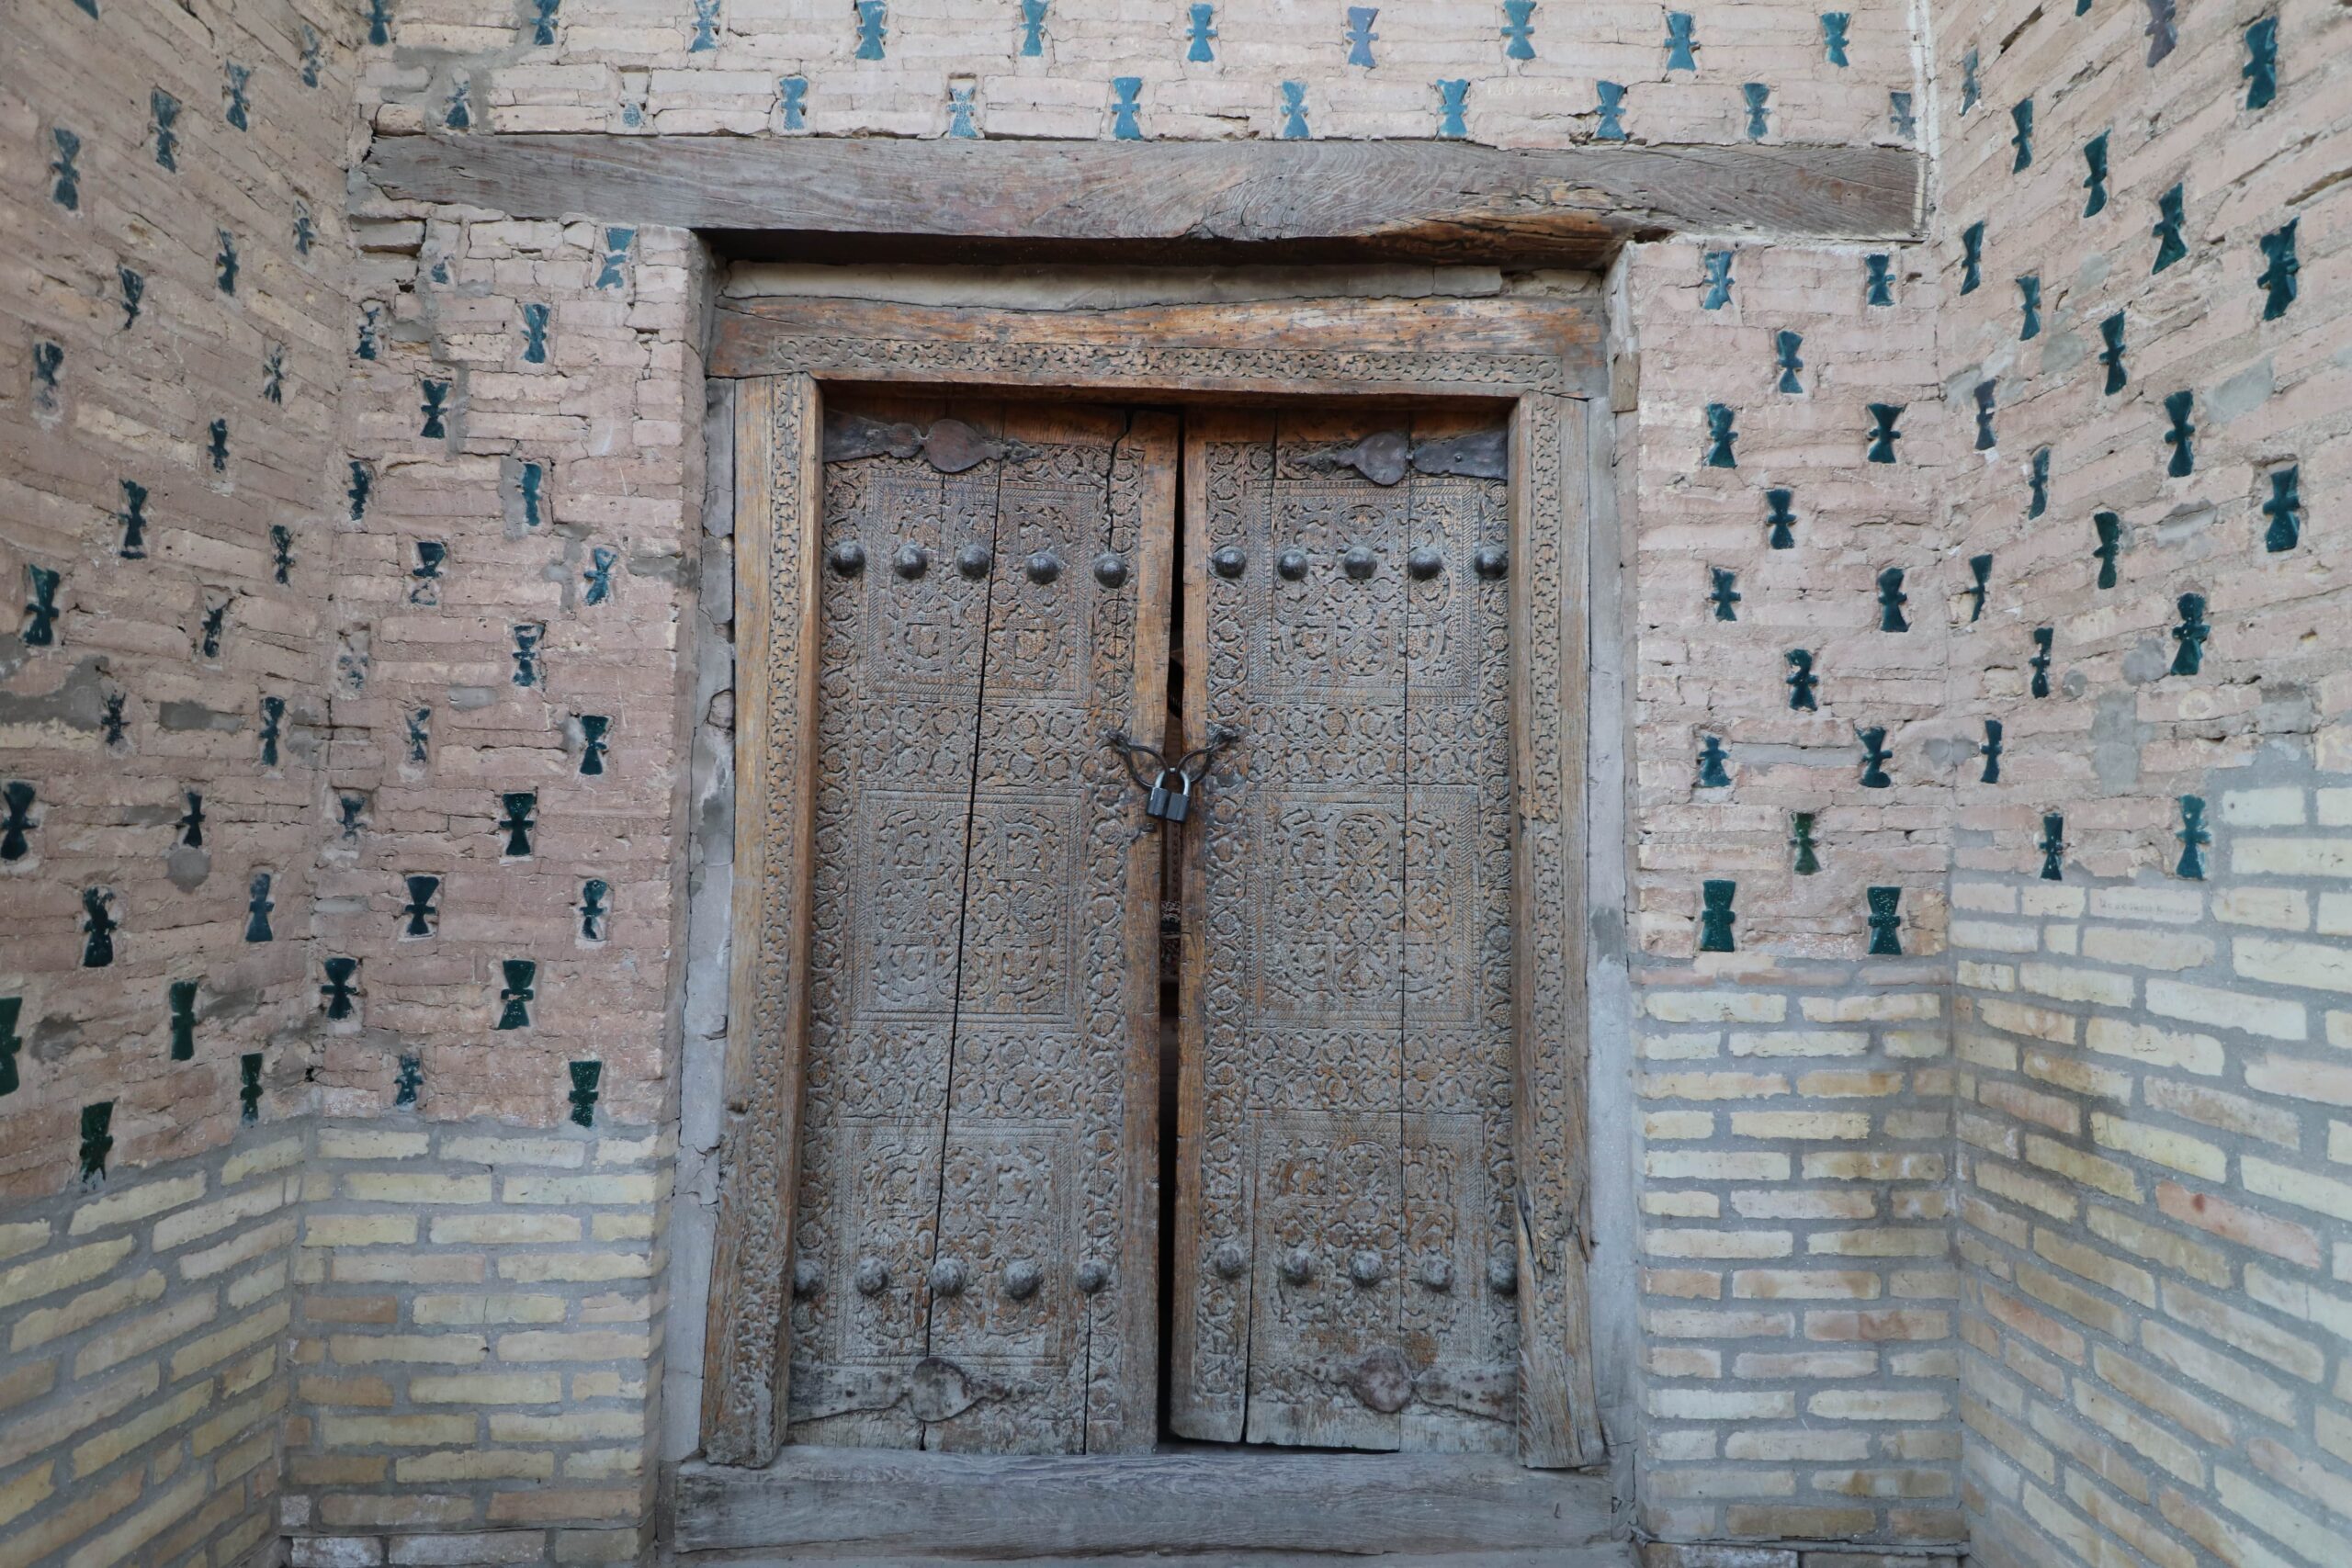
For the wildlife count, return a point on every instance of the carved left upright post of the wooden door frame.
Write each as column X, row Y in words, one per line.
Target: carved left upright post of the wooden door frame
column 747, row 1362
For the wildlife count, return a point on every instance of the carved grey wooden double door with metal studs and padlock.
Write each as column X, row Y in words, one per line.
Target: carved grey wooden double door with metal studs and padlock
column 980, row 1212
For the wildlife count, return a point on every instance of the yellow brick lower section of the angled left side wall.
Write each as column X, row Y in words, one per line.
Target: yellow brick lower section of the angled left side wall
column 142, row 1362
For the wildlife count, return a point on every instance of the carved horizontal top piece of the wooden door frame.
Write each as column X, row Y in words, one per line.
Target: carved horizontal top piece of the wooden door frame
column 1257, row 349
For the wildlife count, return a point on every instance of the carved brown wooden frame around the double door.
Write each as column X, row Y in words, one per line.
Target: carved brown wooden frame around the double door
column 1535, row 359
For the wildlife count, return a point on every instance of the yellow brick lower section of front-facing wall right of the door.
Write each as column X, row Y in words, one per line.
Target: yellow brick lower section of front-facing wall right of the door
column 1798, row 1296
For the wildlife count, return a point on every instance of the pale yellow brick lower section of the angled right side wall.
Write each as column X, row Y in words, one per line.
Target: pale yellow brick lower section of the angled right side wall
column 2156, row 1245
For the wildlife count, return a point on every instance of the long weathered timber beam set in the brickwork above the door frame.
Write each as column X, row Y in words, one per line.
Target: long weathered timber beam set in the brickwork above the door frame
column 1165, row 201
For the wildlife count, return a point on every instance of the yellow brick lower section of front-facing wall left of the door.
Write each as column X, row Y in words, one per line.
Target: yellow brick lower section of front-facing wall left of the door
column 479, row 1341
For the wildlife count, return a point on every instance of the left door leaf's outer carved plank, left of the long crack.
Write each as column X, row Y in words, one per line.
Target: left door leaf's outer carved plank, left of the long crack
column 900, row 671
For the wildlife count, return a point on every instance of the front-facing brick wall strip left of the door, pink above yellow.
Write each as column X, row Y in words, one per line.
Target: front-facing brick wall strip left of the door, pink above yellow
column 479, row 1327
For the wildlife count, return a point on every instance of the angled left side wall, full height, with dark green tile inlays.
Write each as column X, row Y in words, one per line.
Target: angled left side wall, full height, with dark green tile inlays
column 173, row 300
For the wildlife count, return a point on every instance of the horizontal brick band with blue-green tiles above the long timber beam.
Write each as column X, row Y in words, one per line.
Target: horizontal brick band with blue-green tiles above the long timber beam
column 1521, row 74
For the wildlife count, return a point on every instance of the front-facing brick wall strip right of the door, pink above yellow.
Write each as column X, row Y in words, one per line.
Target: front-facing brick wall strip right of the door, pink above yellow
column 1791, row 1061
